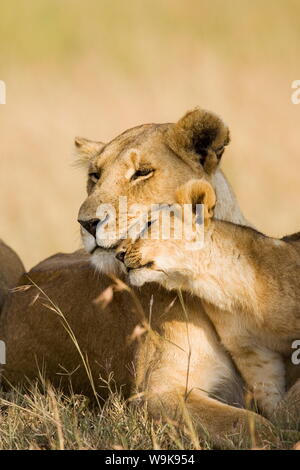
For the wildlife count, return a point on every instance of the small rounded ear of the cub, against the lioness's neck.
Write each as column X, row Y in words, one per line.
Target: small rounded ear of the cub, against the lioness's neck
column 198, row 192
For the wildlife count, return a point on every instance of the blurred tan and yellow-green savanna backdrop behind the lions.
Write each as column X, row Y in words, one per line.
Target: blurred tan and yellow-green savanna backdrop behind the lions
column 97, row 67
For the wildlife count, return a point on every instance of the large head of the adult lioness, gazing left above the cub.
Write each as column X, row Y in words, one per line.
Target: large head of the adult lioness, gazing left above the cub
column 145, row 165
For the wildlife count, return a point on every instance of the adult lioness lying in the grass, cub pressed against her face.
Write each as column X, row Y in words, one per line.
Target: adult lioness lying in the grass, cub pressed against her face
column 146, row 164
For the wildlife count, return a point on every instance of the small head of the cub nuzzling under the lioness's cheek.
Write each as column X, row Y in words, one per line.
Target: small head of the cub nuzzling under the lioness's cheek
column 154, row 257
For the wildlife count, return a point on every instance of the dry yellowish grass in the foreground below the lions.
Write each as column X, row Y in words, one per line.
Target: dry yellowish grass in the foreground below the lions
column 43, row 418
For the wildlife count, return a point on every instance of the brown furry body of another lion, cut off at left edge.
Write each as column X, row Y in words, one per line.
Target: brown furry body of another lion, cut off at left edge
column 11, row 269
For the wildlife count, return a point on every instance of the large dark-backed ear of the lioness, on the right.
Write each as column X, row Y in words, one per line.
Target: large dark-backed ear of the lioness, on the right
column 201, row 136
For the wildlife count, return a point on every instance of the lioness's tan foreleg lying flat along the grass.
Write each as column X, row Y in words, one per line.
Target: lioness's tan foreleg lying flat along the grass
column 222, row 424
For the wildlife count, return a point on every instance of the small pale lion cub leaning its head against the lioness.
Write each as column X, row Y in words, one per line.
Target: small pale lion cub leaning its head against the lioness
column 249, row 284
